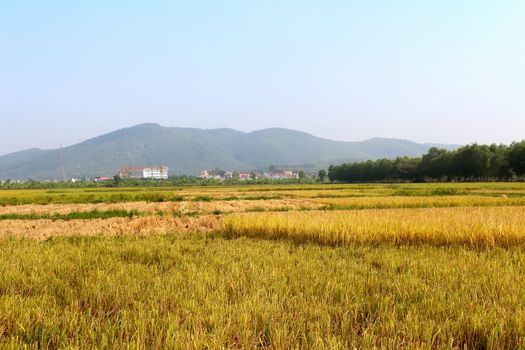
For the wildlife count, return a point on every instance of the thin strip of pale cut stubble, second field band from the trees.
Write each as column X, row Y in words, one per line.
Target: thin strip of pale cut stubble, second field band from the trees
column 191, row 208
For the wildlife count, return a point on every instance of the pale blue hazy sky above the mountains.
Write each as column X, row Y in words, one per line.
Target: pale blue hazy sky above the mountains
column 449, row 71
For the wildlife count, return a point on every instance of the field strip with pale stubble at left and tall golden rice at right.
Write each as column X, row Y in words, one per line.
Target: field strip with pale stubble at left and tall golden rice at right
column 480, row 227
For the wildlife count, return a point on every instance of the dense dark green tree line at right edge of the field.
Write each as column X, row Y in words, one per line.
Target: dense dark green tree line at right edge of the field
column 469, row 163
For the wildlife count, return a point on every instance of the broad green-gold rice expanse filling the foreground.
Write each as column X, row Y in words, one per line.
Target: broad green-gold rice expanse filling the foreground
column 189, row 291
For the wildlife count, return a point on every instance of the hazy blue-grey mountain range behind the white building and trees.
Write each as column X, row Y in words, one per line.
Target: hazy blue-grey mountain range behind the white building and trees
column 187, row 150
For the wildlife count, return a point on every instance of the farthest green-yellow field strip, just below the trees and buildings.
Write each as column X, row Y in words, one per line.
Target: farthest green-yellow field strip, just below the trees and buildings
column 255, row 193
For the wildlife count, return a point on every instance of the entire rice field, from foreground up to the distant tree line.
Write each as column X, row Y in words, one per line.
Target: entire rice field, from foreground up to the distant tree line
column 291, row 266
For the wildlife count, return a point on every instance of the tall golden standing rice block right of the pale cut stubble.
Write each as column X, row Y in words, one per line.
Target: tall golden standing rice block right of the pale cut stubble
column 470, row 227
